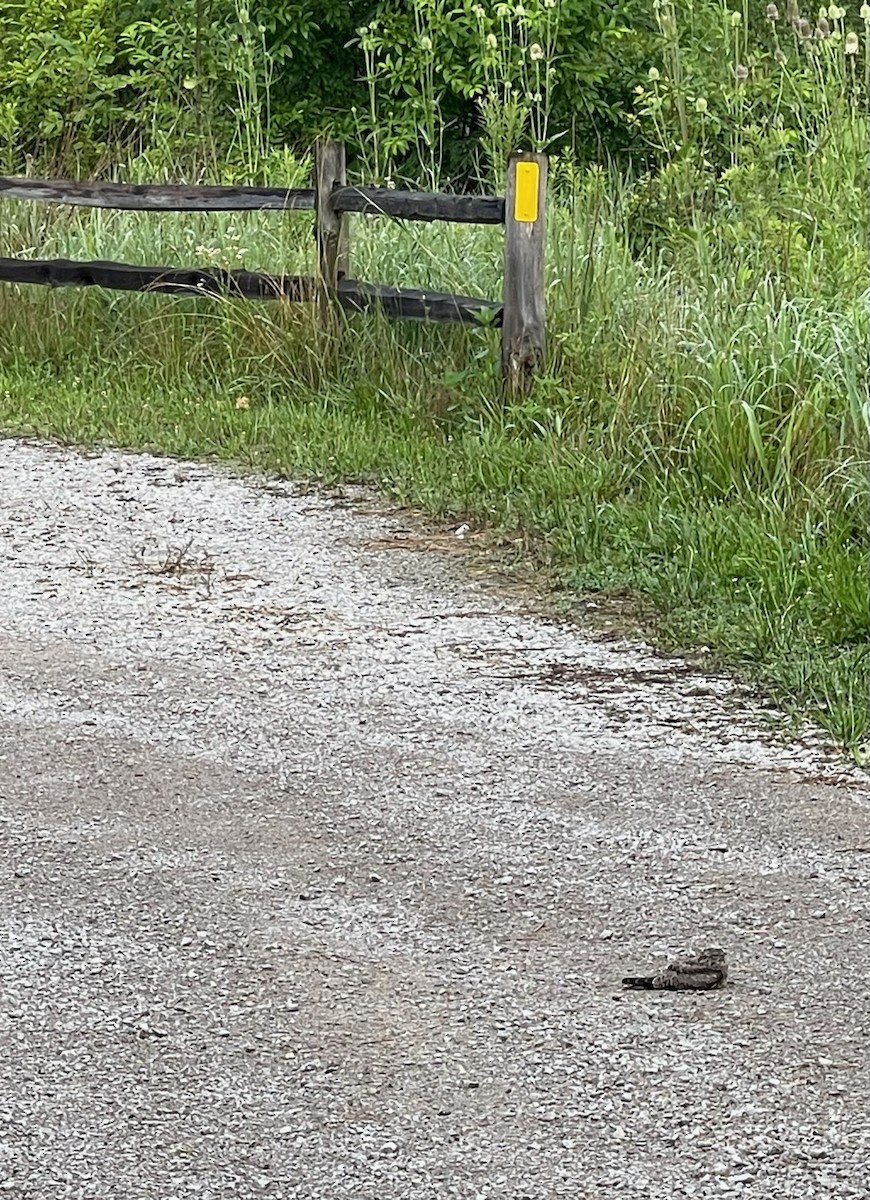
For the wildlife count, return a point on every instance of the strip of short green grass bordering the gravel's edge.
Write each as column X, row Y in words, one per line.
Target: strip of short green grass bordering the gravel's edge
column 783, row 599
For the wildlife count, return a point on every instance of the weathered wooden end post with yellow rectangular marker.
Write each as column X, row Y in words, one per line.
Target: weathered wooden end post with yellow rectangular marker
column 524, row 331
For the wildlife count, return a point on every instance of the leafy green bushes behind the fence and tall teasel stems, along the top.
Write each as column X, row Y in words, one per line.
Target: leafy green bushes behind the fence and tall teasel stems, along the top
column 85, row 79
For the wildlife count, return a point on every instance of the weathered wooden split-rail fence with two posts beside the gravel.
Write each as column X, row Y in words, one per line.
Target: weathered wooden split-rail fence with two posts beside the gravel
column 523, row 212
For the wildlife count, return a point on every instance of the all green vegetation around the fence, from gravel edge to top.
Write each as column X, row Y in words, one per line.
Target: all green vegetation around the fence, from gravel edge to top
column 700, row 440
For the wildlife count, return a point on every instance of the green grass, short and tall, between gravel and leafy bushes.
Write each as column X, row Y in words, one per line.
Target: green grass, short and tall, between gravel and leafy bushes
column 699, row 442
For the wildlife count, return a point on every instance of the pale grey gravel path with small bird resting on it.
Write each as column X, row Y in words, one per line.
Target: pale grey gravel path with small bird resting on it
column 322, row 860
